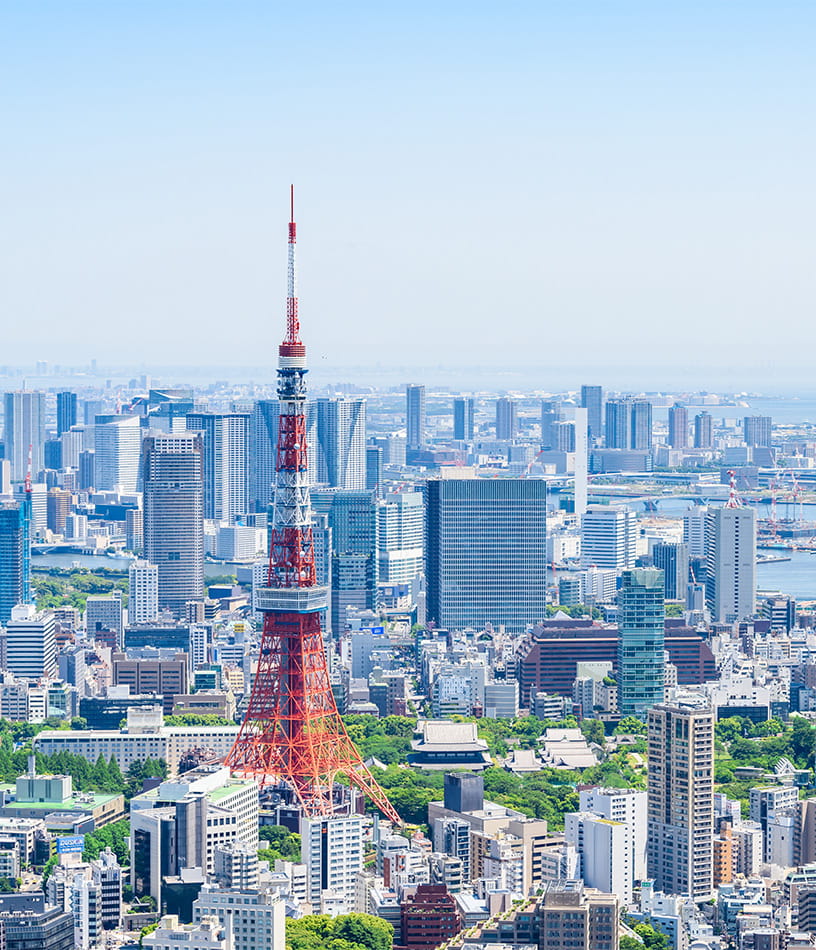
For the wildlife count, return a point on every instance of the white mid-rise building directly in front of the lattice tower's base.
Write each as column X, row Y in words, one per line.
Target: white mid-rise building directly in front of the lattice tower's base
column 332, row 850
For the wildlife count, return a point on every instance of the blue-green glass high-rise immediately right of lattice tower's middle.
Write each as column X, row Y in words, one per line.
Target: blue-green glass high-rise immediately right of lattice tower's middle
column 352, row 518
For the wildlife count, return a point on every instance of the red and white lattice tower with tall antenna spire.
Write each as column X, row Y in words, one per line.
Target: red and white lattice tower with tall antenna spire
column 292, row 734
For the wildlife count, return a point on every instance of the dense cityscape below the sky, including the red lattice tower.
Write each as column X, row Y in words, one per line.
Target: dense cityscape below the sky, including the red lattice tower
column 403, row 667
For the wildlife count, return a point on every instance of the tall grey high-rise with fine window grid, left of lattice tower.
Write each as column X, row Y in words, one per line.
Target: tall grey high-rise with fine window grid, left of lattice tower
column 173, row 485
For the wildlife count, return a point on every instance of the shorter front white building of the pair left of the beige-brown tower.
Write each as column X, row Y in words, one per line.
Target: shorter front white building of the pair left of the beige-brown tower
column 605, row 851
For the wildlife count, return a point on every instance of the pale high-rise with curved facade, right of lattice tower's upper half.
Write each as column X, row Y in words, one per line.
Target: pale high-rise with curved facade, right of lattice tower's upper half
column 341, row 443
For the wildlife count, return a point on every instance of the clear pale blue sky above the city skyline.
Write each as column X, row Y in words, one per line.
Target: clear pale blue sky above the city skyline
column 564, row 183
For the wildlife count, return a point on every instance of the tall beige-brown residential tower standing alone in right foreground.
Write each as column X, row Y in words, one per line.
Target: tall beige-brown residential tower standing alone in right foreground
column 681, row 799
